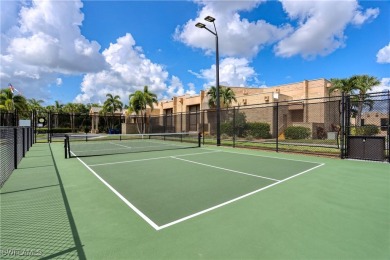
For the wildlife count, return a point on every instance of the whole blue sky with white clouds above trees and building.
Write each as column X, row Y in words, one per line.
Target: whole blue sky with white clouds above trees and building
column 78, row 51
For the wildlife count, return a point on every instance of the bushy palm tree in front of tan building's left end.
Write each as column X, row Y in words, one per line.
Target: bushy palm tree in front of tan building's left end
column 138, row 102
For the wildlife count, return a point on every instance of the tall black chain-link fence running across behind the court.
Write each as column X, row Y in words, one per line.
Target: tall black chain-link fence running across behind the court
column 341, row 126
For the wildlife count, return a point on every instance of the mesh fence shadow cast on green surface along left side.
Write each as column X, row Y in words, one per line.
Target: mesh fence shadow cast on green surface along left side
column 36, row 219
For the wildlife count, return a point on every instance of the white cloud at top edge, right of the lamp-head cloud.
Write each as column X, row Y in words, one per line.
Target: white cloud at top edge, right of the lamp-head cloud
column 321, row 25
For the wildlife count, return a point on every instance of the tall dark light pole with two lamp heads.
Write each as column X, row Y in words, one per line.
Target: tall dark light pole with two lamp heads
column 218, row 107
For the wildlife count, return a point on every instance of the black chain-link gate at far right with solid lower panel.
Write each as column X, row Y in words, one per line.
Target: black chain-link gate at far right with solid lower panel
column 365, row 127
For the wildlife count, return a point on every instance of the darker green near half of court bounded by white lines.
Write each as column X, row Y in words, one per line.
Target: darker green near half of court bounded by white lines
column 166, row 188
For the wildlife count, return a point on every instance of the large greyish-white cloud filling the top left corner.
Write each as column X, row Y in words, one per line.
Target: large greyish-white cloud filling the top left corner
column 42, row 41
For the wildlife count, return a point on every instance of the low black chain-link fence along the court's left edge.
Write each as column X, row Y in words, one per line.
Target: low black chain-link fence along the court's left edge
column 14, row 144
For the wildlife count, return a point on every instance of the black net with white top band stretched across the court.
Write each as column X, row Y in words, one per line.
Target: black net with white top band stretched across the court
column 84, row 145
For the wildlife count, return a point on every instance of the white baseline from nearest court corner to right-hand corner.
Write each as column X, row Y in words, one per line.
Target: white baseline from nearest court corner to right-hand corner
column 233, row 200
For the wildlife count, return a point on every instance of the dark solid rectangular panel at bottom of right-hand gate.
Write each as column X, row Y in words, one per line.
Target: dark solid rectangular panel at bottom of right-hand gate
column 366, row 147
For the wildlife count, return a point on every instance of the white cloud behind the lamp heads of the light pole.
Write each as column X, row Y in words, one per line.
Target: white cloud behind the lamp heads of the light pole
column 240, row 37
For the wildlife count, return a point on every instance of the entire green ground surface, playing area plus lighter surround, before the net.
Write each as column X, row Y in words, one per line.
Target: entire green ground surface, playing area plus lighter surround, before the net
column 210, row 203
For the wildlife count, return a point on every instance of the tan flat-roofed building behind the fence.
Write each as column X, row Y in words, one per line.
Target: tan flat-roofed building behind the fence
column 303, row 103
